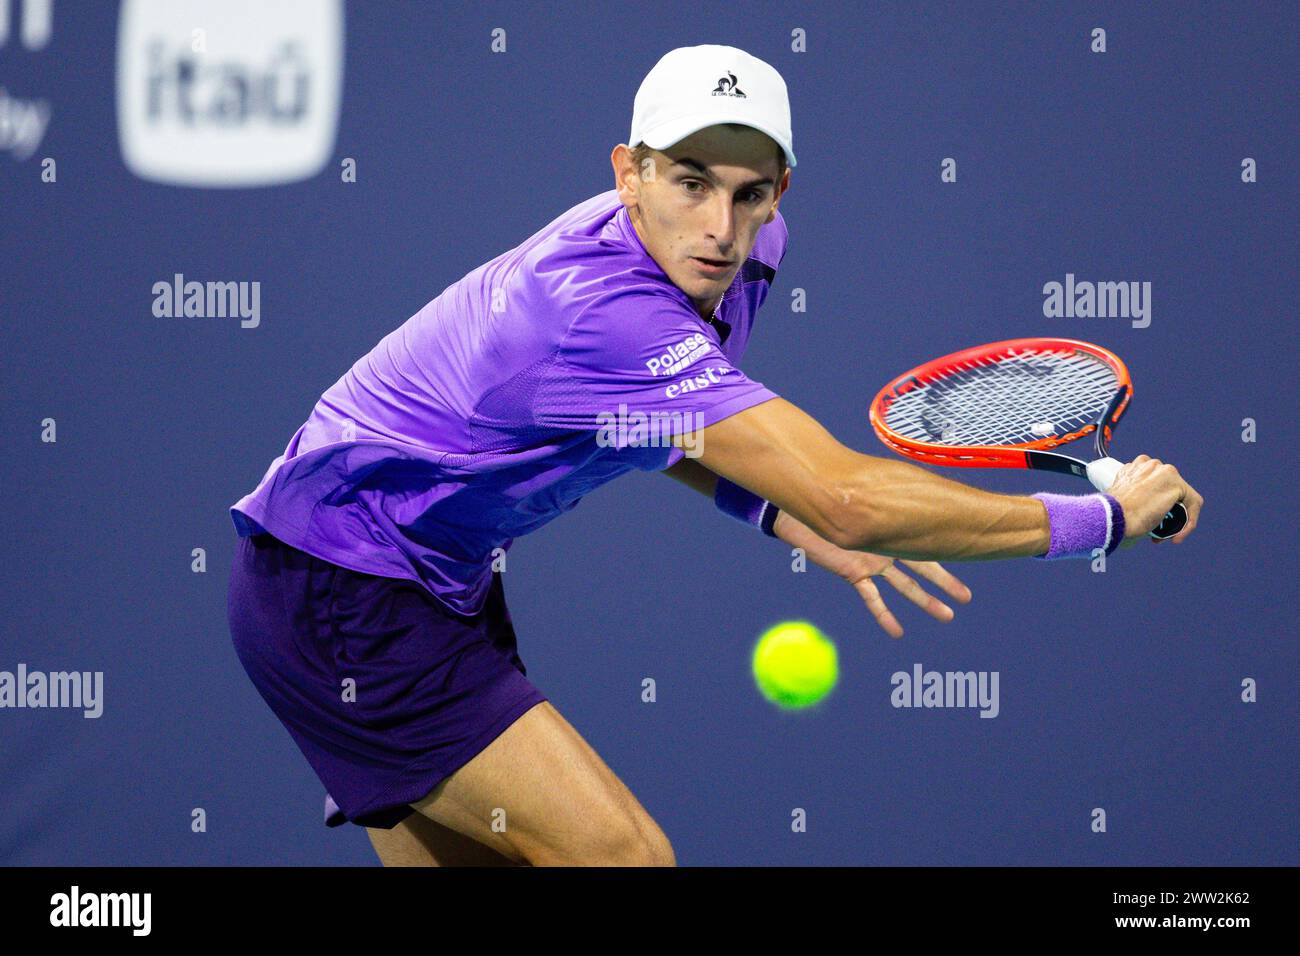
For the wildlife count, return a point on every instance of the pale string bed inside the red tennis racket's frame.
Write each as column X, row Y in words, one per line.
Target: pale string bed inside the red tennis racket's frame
column 1007, row 400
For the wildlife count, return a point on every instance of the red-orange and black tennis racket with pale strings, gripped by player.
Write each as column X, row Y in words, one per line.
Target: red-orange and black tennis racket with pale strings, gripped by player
column 1007, row 404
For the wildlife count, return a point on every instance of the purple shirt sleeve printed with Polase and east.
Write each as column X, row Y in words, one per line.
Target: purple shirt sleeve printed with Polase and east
column 639, row 366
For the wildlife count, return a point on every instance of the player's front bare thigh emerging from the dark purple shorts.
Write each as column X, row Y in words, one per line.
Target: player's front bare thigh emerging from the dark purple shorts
column 552, row 798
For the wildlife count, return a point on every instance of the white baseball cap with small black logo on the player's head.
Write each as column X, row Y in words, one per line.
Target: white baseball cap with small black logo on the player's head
column 692, row 88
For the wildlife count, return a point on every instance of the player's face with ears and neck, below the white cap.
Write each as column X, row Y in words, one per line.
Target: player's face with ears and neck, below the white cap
column 699, row 206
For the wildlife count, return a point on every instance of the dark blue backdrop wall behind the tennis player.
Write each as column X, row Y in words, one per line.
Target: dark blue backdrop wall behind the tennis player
column 1119, row 690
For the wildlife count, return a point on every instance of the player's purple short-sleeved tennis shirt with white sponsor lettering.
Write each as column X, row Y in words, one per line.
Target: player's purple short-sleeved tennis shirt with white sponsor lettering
column 541, row 375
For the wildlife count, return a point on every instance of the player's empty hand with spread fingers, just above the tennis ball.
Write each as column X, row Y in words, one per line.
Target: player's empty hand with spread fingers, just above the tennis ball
column 863, row 570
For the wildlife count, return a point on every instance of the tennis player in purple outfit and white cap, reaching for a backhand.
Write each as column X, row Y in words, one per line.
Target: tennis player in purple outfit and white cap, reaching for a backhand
column 365, row 600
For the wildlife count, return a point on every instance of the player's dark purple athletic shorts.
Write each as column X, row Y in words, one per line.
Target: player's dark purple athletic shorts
column 432, row 687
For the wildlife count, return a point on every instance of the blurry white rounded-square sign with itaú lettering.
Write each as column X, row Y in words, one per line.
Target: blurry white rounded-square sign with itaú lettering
column 229, row 93
